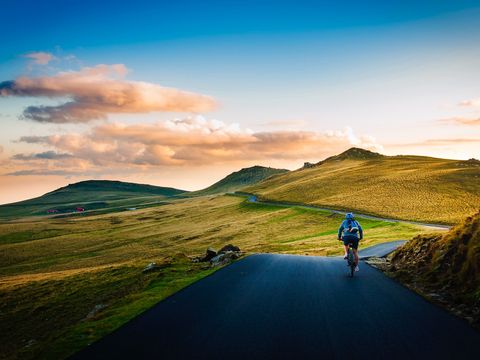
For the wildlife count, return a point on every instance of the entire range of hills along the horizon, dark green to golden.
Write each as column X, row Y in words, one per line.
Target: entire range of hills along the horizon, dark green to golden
column 406, row 187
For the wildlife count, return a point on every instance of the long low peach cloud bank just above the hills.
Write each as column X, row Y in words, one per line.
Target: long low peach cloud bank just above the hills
column 196, row 141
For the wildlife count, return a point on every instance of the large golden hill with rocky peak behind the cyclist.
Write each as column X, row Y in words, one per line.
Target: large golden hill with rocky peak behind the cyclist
column 404, row 187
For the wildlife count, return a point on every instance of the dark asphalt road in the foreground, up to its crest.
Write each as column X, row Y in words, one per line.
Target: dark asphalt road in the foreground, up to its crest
column 291, row 307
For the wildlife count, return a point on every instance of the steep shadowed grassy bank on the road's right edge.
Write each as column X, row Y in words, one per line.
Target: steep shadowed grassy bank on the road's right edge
column 445, row 268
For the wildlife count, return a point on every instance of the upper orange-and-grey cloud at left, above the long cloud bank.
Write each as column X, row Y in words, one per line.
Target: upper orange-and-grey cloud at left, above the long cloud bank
column 95, row 92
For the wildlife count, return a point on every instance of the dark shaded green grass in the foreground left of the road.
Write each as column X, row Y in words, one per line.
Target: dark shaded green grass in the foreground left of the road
column 63, row 310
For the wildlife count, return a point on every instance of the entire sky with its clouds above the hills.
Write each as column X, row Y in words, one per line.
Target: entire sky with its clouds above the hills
column 182, row 93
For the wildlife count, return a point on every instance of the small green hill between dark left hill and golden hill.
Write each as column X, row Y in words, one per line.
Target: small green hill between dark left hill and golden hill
column 239, row 179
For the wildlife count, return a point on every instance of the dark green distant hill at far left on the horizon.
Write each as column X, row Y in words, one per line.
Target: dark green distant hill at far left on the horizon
column 92, row 195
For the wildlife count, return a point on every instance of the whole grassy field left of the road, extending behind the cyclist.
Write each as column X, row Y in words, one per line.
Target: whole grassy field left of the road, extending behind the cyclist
column 54, row 272
